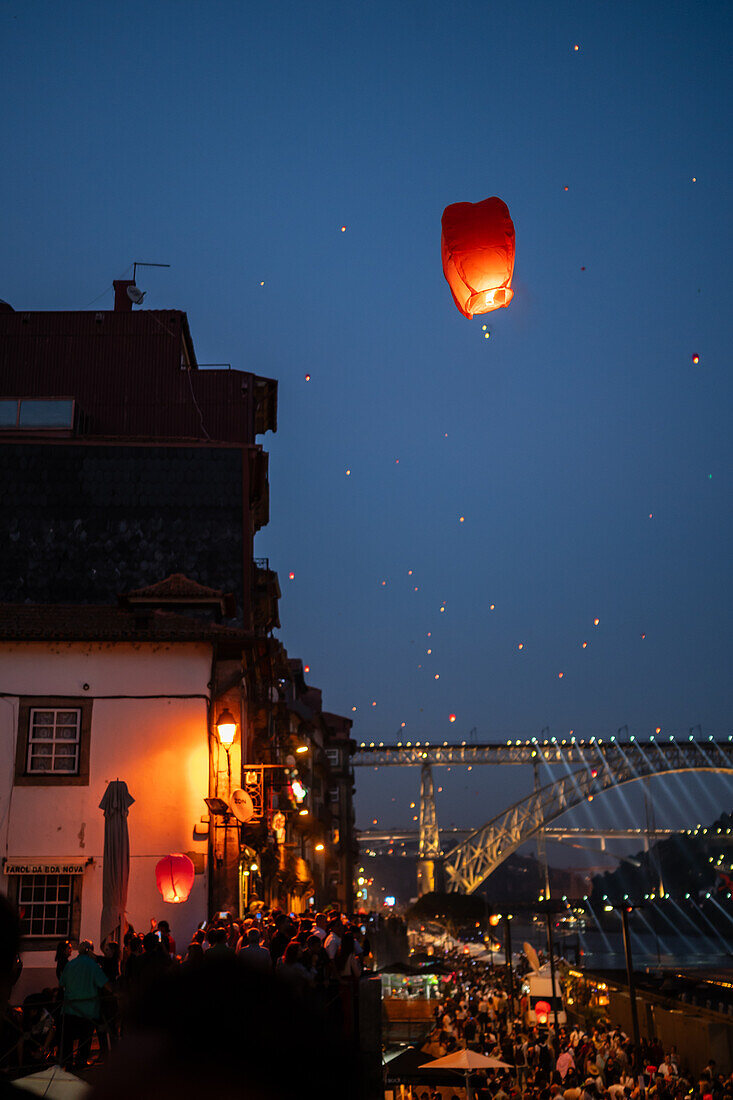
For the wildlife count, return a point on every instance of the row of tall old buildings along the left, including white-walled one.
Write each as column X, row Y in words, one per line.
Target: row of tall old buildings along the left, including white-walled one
column 132, row 489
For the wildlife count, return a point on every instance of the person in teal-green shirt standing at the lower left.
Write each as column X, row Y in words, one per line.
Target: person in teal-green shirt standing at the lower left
column 83, row 981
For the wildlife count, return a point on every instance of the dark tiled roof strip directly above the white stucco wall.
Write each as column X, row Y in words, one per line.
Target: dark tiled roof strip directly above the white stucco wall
column 93, row 623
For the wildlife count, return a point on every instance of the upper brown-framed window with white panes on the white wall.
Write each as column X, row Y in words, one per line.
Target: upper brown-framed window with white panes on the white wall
column 53, row 742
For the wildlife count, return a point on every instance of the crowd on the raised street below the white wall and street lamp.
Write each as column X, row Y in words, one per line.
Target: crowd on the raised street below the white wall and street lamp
column 322, row 953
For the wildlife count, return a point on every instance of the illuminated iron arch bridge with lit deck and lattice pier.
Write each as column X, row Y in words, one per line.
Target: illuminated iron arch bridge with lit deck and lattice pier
column 599, row 765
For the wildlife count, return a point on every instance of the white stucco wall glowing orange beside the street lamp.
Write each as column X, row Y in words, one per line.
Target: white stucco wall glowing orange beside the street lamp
column 158, row 746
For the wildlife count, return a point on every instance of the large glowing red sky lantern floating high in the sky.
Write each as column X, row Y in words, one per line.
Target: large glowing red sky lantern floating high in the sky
column 478, row 255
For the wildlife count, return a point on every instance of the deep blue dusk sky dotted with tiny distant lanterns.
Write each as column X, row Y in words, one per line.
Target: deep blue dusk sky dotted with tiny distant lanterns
column 234, row 141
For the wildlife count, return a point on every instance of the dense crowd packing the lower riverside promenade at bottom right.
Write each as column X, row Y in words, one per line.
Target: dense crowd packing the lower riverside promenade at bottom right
column 554, row 1062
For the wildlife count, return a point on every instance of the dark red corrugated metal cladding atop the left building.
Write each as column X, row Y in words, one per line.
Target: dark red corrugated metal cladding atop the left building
column 125, row 371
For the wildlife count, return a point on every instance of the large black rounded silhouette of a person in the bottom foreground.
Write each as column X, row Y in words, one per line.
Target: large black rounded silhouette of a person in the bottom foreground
column 225, row 1030
